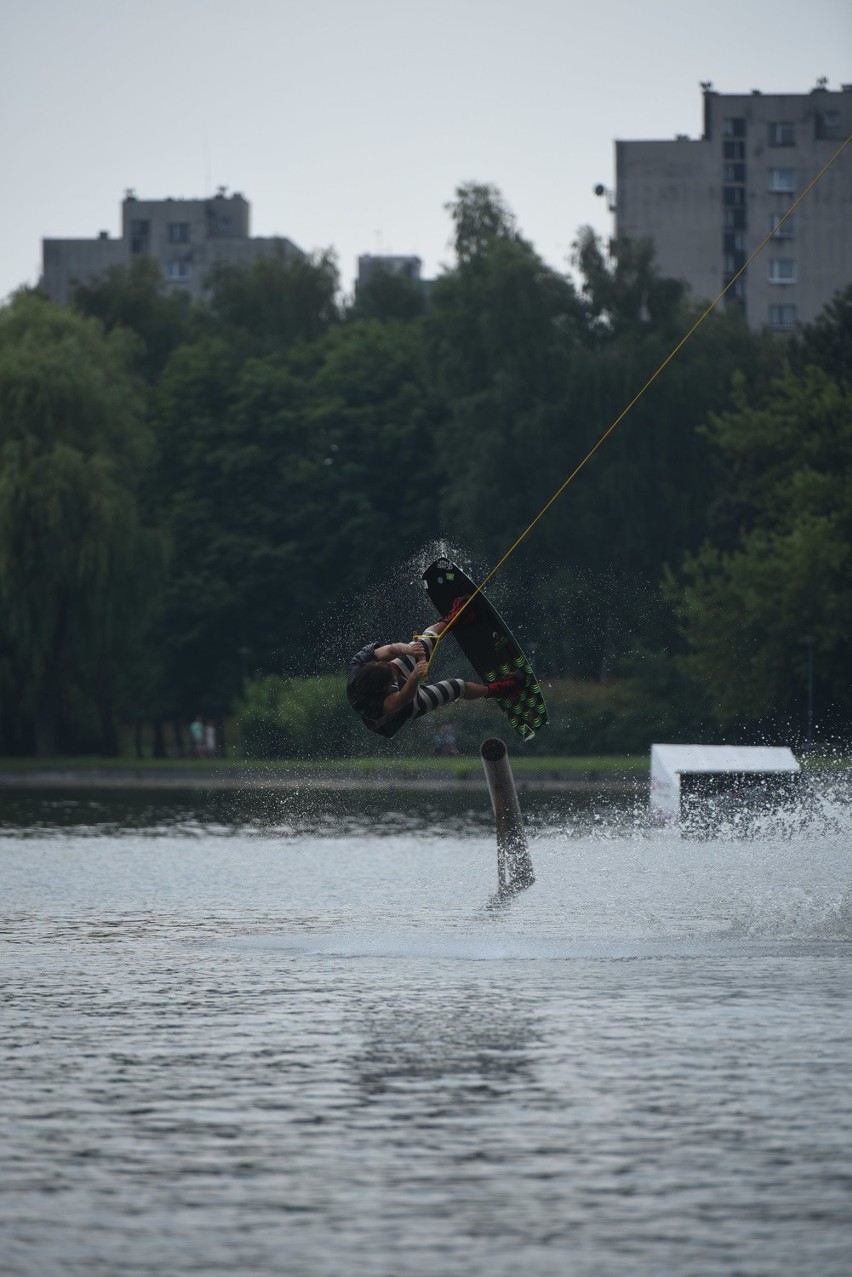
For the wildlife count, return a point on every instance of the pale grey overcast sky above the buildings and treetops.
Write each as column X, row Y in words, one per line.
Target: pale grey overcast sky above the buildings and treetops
column 349, row 125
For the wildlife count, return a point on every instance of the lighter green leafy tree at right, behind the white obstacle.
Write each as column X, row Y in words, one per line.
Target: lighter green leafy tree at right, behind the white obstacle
column 748, row 610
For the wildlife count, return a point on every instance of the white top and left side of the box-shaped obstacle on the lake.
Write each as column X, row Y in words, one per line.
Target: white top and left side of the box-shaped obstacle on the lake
column 670, row 763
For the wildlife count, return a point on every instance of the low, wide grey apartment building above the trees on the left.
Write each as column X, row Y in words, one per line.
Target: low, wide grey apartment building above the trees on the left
column 186, row 237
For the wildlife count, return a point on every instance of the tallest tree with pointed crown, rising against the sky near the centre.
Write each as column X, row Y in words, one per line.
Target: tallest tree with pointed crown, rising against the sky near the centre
column 503, row 326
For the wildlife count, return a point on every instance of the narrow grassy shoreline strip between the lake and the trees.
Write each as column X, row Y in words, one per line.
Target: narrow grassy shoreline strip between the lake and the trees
column 308, row 778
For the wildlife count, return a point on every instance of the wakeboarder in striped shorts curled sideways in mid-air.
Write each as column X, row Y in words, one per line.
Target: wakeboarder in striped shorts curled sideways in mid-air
column 385, row 681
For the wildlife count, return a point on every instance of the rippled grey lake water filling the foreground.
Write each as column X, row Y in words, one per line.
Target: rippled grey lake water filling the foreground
column 268, row 1034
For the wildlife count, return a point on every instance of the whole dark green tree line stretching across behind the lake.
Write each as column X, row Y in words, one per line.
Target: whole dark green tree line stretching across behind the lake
column 199, row 497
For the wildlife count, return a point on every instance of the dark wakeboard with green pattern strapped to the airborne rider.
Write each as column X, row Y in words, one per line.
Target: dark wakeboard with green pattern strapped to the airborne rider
column 489, row 644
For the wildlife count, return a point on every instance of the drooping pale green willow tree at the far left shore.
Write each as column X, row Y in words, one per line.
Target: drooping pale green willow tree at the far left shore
column 77, row 563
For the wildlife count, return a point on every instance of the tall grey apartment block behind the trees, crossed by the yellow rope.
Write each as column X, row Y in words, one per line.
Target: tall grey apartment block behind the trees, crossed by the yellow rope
column 708, row 204
